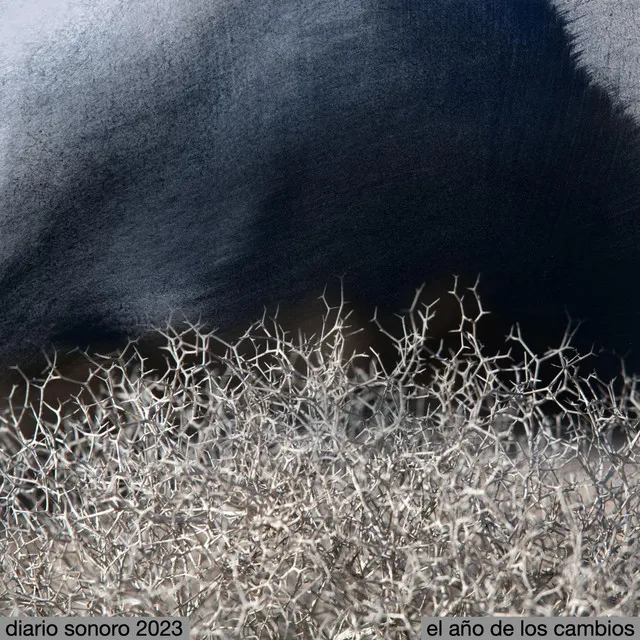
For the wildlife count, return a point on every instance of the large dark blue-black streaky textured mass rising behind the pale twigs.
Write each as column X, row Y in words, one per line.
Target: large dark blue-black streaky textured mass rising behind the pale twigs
column 211, row 158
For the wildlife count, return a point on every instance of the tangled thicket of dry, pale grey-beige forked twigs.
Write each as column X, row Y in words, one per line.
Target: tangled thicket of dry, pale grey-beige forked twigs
column 278, row 489
